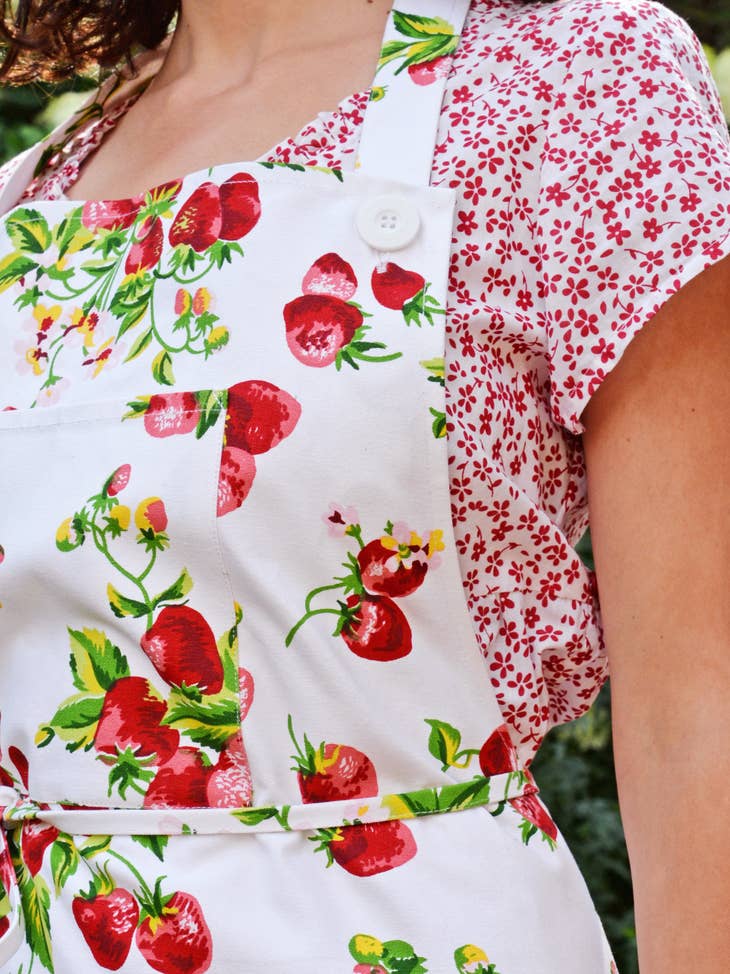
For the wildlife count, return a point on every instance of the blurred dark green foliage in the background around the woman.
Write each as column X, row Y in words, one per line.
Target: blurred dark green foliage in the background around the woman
column 575, row 766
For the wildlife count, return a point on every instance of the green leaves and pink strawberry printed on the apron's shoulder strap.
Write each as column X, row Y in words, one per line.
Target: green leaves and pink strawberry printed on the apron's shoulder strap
column 426, row 52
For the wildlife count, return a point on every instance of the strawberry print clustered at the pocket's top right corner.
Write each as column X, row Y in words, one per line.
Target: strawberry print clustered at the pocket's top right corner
column 258, row 416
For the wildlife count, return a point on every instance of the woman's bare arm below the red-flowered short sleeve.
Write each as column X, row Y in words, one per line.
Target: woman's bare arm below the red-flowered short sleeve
column 658, row 451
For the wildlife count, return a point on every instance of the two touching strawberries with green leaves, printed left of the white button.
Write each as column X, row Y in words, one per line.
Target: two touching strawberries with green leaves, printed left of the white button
column 323, row 327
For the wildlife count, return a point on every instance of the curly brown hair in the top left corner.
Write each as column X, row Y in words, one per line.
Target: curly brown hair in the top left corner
column 52, row 40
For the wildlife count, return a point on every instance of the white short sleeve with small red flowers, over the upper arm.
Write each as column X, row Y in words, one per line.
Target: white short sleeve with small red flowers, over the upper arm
column 634, row 196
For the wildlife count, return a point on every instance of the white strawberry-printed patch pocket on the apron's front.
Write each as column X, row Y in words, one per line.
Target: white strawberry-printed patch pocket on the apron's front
column 120, row 682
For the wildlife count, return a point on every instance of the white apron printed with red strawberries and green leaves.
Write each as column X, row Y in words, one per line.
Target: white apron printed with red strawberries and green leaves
column 246, row 724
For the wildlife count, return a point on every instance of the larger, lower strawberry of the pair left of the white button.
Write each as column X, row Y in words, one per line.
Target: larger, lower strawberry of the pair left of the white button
column 318, row 327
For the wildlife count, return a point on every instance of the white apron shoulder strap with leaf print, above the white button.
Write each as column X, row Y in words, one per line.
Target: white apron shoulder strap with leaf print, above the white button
column 401, row 121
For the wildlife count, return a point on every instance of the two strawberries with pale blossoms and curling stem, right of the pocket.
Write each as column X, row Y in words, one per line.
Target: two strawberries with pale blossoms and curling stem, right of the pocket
column 395, row 565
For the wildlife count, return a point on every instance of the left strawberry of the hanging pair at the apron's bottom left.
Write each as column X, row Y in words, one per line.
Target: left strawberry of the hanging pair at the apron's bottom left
column 107, row 922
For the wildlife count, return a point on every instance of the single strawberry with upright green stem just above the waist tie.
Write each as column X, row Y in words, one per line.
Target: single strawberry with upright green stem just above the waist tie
column 332, row 771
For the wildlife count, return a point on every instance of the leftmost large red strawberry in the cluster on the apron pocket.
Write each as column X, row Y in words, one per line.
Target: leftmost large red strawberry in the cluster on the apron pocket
column 130, row 719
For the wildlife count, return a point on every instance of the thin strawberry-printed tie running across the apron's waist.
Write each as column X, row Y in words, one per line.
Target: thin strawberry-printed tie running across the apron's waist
column 488, row 792
